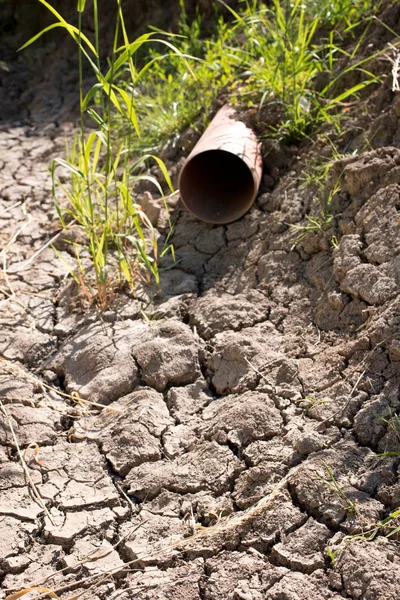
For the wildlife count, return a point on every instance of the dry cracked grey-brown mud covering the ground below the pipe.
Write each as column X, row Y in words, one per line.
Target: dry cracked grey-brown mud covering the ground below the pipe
column 238, row 455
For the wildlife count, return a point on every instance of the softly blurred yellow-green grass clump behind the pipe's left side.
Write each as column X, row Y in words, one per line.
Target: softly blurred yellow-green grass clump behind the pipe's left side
column 169, row 98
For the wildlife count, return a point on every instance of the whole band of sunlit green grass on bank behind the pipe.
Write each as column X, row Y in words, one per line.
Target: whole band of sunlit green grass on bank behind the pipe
column 282, row 55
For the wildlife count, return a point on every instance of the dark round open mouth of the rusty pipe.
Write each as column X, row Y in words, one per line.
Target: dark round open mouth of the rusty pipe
column 217, row 186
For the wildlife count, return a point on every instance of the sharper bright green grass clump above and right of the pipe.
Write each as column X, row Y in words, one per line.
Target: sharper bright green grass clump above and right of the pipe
column 289, row 64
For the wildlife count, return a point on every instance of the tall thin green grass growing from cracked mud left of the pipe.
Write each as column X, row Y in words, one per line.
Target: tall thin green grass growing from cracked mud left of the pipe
column 121, row 243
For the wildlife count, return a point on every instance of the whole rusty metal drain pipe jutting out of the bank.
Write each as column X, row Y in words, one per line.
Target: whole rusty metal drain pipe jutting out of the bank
column 222, row 174
